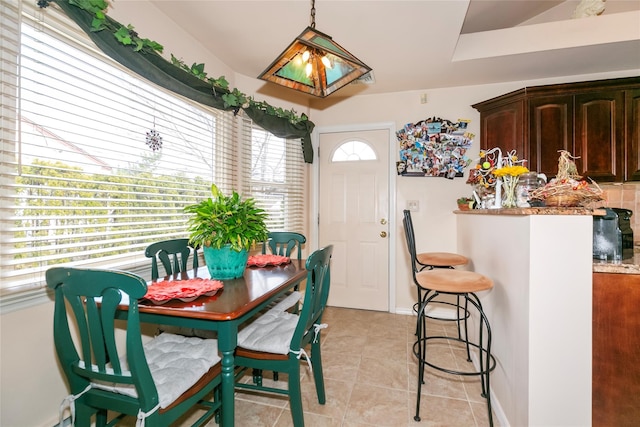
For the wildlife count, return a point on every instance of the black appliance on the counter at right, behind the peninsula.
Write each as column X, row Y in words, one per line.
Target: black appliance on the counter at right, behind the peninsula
column 612, row 235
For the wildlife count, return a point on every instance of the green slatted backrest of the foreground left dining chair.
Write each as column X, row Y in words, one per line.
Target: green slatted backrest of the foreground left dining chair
column 94, row 296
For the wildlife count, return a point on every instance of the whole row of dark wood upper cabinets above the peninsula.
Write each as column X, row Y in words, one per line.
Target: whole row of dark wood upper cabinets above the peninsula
column 596, row 121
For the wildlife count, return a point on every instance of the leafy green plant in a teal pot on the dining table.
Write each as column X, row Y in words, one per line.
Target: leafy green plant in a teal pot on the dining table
column 226, row 227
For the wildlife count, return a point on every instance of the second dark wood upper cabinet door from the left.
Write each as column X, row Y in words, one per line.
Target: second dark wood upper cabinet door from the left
column 550, row 130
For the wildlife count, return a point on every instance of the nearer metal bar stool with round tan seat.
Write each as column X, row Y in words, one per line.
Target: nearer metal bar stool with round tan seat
column 461, row 284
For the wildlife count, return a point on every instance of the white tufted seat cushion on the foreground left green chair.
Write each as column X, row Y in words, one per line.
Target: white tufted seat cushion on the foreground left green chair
column 176, row 363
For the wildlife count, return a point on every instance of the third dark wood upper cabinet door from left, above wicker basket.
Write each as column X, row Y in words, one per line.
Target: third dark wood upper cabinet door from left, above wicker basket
column 599, row 135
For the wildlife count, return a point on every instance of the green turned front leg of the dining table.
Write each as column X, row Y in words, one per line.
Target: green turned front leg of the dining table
column 227, row 341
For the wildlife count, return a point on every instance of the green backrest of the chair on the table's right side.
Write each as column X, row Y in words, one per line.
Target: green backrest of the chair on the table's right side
column 315, row 295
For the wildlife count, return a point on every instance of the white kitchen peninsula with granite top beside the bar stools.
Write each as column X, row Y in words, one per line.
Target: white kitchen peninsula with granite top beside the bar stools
column 540, row 309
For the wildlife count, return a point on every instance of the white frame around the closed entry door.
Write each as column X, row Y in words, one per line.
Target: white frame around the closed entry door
column 315, row 192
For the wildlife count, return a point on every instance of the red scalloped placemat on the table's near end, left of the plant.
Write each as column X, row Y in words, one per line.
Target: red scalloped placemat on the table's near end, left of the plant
column 183, row 290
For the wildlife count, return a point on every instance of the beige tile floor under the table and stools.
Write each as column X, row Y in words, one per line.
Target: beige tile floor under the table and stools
column 371, row 380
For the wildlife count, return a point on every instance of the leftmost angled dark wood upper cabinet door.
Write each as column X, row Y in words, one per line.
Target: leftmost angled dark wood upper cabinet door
column 503, row 127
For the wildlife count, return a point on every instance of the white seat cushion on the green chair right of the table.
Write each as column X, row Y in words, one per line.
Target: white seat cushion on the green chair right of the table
column 270, row 332
